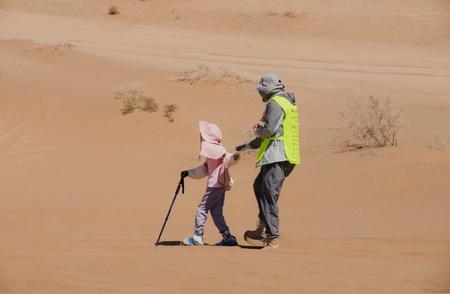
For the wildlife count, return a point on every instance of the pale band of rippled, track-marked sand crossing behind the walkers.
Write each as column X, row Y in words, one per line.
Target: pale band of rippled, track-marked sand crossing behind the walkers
column 167, row 48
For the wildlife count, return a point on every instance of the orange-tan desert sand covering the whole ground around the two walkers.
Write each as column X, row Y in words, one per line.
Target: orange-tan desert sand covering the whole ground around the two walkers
column 84, row 189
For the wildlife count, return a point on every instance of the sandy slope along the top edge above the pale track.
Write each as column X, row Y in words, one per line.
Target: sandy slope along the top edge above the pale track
column 415, row 21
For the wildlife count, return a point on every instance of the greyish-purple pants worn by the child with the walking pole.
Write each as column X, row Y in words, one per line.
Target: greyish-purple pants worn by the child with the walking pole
column 212, row 201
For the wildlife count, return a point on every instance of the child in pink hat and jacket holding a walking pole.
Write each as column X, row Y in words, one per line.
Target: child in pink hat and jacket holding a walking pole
column 218, row 160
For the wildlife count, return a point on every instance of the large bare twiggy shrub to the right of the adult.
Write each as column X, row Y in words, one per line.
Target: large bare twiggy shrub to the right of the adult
column 369, row 123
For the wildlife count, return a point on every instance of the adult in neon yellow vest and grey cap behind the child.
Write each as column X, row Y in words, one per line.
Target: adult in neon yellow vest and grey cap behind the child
column 279, row 152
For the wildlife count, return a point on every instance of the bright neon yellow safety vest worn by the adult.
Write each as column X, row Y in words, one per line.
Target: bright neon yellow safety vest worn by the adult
column 290, row 132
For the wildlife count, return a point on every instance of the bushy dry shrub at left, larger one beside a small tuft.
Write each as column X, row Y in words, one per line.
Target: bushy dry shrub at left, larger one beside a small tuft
column 133, row 97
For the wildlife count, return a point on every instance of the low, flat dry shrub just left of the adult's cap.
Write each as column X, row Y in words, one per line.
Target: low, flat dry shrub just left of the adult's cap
column 204, row 73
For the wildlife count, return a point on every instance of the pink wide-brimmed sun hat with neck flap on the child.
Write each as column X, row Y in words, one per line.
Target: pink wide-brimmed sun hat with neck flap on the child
column 211, row 140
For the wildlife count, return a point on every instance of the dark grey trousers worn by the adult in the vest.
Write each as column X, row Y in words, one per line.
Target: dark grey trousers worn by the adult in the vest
column 267, row 188
